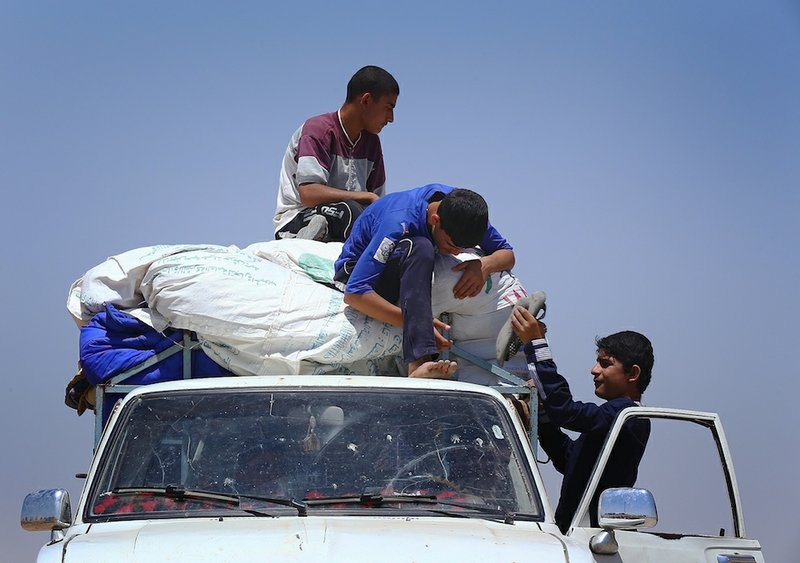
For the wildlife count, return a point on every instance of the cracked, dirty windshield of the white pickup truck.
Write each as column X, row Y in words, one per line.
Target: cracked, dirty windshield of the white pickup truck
column 285, row 448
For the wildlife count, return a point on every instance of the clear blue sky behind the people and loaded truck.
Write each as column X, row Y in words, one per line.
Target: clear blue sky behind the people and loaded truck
column 643, row 158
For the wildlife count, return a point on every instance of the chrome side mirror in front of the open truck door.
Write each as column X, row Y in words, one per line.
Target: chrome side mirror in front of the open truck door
column 622, row 509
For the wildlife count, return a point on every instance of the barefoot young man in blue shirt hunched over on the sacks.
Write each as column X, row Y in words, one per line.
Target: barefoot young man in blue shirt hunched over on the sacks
column 386, row 265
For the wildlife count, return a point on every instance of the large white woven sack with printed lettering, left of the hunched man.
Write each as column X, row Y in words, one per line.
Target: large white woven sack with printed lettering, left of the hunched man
column 259, row 317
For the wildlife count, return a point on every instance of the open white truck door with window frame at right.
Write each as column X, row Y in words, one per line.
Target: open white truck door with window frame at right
column 687, row 467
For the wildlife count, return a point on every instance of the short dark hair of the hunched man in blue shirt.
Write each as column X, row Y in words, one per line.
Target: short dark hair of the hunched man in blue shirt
column 464, row 216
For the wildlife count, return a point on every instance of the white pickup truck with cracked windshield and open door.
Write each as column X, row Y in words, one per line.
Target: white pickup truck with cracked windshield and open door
column 331, row 468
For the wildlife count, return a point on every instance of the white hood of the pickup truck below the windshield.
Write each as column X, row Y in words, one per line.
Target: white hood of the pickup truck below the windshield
column 341, row 538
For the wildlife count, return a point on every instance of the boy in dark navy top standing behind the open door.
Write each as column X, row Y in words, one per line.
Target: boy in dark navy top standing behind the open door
column 621, row 374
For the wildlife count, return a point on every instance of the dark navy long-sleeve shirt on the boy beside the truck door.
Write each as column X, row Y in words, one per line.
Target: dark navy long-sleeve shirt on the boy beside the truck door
column 575, row 459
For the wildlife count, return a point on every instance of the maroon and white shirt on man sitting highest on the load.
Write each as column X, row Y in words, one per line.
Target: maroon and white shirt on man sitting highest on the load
column 320, row 152
